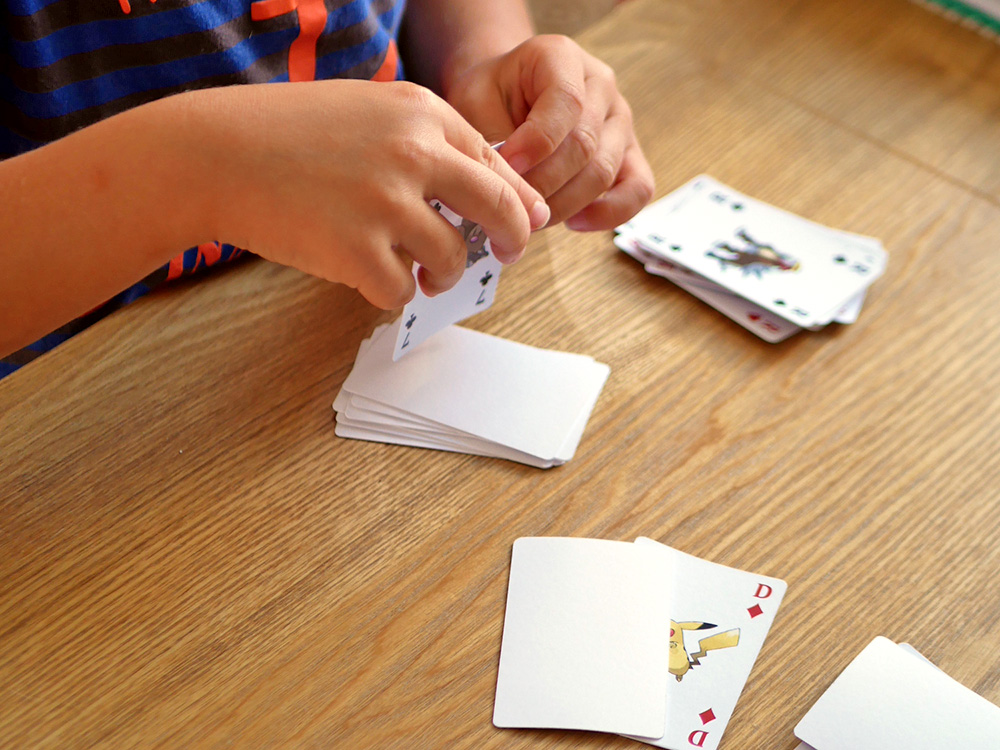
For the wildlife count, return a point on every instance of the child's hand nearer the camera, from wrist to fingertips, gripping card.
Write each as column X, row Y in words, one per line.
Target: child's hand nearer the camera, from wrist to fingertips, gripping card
column 334, row 178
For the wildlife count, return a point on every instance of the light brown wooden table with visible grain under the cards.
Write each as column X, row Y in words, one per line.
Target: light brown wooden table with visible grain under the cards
column 190, row 557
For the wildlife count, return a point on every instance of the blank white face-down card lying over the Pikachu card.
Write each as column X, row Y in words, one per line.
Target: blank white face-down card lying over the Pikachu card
column 583, row 644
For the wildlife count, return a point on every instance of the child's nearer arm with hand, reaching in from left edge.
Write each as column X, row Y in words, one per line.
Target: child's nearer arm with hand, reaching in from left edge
column 331, row 177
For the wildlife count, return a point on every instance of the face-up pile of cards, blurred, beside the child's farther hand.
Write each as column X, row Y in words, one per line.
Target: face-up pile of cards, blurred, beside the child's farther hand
column 769, row 270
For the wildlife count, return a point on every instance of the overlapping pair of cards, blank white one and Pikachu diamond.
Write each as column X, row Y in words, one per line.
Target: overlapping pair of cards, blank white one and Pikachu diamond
column 636, row 639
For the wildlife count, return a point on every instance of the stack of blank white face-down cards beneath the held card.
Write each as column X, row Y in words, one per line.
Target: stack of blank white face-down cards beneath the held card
column 465, row 384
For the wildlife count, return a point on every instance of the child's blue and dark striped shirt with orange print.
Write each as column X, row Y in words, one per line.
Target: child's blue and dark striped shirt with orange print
column 66, row 64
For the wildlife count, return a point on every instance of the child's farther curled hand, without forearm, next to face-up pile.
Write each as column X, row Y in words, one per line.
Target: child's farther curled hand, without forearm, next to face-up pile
column 567, row 129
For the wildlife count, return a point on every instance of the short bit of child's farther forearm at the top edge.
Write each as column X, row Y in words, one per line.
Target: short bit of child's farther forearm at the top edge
column 444, row 38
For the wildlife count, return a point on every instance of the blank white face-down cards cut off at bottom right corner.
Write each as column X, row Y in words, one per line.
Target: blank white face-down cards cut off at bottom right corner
column 890, row 696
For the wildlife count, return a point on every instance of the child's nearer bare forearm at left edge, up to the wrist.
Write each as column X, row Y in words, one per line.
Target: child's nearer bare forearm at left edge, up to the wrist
column 88, row 215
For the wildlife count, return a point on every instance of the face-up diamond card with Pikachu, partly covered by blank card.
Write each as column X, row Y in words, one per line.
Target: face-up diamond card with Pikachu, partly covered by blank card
column 719, row 618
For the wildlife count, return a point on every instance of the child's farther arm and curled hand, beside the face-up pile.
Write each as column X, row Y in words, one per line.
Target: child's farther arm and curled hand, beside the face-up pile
column 567, row 128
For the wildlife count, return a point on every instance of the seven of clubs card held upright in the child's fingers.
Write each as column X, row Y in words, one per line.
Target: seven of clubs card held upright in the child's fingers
column 424, row 316
